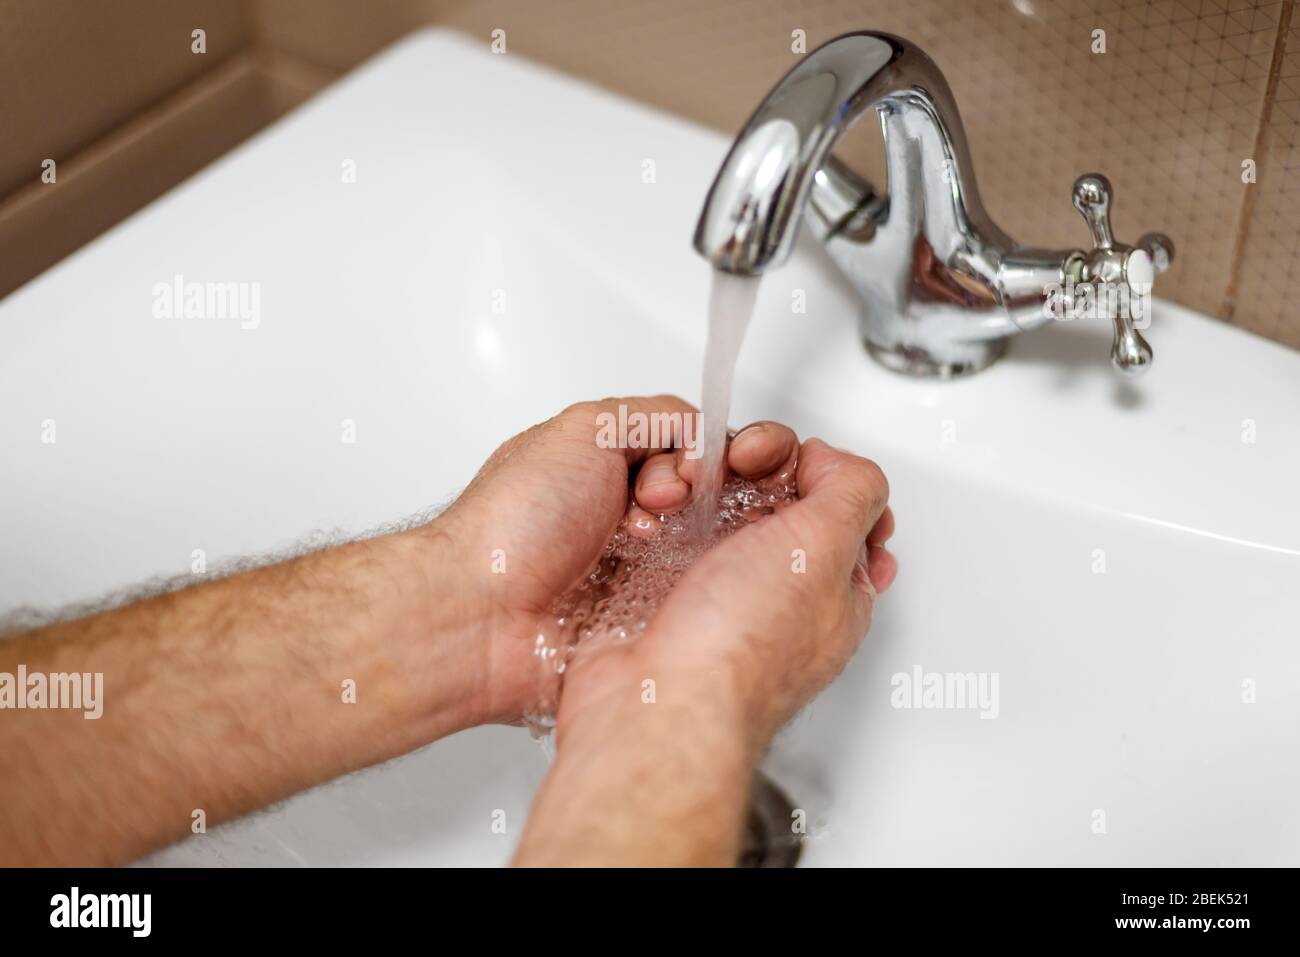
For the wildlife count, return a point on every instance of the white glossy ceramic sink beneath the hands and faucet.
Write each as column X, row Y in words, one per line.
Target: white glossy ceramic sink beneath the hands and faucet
column 480, row 177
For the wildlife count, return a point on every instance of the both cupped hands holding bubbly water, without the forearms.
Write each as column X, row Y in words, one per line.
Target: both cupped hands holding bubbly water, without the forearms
column 764, row 621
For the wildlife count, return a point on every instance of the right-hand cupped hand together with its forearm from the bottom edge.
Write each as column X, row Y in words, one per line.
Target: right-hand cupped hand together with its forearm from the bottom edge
column 753, row 631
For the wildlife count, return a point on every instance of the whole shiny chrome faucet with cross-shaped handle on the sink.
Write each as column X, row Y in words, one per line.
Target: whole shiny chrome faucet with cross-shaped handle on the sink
column 943, row 287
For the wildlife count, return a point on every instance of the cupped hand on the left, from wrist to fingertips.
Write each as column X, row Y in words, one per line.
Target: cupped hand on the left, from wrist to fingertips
column 541, row 512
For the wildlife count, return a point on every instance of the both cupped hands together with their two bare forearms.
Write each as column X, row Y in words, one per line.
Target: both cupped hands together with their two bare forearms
column 241, row 691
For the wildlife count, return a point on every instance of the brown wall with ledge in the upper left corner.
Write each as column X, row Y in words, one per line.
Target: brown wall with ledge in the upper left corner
column 116, row 96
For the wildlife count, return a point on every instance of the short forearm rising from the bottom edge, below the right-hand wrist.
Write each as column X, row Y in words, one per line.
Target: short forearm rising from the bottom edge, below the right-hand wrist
column 647, row 783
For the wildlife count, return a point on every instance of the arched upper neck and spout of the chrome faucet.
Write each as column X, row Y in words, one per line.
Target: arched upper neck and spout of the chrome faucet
column 782, row 163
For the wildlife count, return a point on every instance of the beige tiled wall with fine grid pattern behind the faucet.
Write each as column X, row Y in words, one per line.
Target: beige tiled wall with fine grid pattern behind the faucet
column 1191, row 107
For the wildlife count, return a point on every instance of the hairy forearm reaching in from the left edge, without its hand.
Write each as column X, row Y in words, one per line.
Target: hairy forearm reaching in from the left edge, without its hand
column 226, row 698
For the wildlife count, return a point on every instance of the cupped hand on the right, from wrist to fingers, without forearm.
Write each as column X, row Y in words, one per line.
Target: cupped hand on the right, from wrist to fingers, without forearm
column 772, row 616
